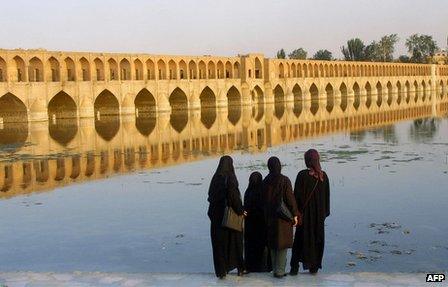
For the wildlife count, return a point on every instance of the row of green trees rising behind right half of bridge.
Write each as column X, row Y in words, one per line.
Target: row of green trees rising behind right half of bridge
column 420, row 50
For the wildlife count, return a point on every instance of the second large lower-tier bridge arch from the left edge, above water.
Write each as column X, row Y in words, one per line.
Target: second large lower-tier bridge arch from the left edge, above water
column 61, row 106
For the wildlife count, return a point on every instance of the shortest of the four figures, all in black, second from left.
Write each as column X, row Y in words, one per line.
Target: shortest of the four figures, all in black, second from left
column 256, row 253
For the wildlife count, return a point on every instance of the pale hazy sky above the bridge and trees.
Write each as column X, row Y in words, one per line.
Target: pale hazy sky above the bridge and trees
column 205, row 27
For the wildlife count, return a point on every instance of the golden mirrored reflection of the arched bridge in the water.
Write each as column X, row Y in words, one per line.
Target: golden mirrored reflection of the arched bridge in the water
column 41, row 156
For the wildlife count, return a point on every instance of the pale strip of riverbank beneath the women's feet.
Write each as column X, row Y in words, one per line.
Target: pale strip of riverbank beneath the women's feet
column 84, row 279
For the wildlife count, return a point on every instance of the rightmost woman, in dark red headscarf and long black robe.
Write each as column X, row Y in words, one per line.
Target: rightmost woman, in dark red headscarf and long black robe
column 312, row 193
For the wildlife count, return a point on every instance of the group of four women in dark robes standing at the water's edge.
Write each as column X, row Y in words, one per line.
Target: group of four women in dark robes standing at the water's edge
column 267, row 234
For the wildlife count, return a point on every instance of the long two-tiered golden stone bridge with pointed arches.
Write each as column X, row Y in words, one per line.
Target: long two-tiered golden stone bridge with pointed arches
column 40, row 85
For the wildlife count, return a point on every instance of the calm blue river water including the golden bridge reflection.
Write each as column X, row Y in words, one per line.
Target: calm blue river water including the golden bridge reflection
column 389, row 192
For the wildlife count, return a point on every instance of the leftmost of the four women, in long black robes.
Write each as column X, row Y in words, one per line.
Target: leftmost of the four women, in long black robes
column 227, row 244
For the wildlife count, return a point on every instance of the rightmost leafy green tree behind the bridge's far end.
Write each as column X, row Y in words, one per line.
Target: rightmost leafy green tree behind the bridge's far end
column 421, row 47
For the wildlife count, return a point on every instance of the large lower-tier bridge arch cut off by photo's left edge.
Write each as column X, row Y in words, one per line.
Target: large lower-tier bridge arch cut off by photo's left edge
column 12, row 109
